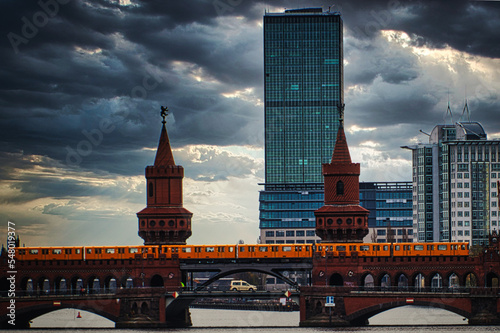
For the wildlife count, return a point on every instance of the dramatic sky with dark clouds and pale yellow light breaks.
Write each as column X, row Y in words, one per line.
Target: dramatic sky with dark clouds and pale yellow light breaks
column 82, row 83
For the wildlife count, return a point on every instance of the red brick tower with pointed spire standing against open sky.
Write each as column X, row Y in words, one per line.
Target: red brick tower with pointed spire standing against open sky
column 164, row 220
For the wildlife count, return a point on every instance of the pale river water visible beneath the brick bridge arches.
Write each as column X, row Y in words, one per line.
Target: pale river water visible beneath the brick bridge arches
column 402, row 320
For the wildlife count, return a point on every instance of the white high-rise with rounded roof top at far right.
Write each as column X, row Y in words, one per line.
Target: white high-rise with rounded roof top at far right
column 455, row 185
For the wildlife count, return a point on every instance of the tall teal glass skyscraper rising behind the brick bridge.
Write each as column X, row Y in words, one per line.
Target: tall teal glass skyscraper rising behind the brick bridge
column 303, row 74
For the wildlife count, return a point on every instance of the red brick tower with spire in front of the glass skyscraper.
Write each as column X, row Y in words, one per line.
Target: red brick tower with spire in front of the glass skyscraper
column 341, row 219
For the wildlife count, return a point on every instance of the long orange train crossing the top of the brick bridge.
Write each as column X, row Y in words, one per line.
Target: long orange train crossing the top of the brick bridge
column 243, row 251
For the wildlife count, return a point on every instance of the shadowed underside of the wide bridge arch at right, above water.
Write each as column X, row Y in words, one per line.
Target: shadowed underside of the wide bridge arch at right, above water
column 361, row 316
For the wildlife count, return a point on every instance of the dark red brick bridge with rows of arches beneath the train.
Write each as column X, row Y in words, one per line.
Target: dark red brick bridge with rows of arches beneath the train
column 137, row 293
